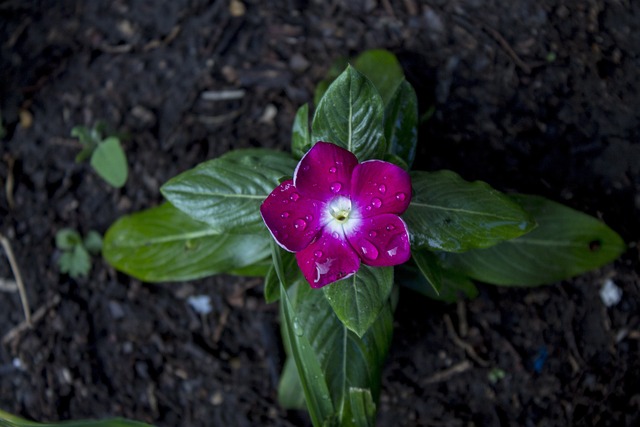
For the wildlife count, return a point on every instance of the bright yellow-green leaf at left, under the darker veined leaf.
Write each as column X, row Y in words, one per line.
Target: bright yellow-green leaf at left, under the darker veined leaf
column 164, row 244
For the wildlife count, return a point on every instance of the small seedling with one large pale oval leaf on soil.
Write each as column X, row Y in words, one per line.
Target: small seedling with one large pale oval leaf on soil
column 106, row 153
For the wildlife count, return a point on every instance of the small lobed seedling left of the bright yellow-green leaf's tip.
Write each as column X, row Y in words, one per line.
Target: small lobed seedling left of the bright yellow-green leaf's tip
column 75, row 259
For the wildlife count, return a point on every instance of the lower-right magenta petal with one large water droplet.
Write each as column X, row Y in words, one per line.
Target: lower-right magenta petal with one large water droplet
column 381, row 241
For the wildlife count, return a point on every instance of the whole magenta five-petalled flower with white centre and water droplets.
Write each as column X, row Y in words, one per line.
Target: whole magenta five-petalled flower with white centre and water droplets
column 337, row 213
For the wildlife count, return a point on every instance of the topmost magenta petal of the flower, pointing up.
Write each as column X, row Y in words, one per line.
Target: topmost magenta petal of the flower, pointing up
column 325, row 172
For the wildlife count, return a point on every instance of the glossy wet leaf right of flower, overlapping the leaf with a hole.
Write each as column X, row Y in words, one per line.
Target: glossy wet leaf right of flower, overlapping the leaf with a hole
column 450, row 214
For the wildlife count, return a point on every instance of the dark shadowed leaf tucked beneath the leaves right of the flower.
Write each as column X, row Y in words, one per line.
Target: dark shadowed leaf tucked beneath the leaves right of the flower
column 453, row 285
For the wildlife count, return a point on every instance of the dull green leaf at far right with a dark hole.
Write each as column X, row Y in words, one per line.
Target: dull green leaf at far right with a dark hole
column 565, row 244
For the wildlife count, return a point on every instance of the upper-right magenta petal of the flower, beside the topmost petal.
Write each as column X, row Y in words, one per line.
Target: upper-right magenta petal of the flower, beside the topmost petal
column 379, row 187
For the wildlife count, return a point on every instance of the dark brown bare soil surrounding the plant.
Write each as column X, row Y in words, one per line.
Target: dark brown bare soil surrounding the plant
column 531, row 96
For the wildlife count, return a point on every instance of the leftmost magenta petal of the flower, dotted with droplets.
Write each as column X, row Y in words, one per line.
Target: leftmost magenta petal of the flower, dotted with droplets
column 292, row 219
